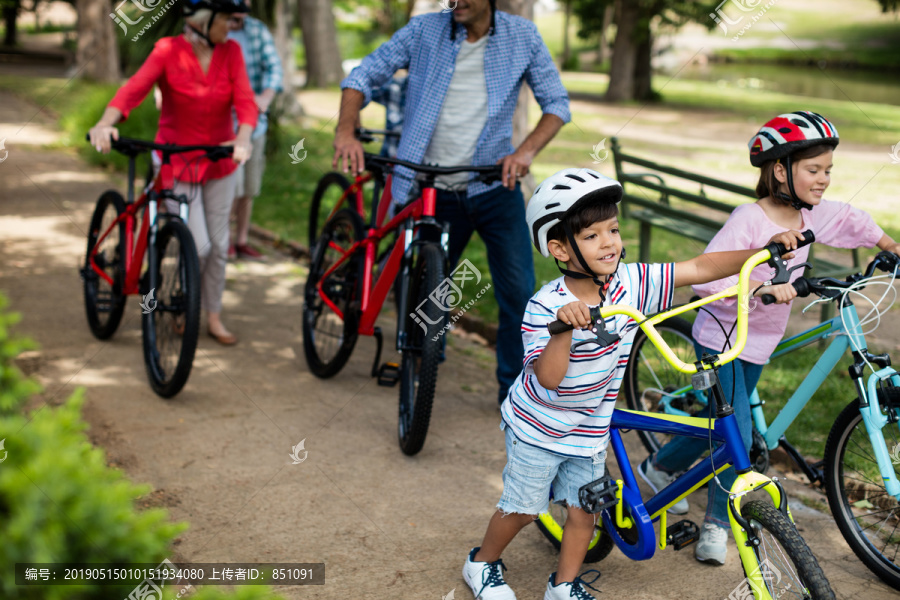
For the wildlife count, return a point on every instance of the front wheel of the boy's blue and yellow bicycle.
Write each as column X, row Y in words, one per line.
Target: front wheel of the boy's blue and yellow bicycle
column 787, row 566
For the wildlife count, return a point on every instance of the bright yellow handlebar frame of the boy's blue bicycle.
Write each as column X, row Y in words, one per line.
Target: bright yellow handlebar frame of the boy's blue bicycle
column 741, row 290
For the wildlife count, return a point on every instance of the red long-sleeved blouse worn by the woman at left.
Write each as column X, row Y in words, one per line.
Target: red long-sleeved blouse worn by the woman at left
column 196, row 108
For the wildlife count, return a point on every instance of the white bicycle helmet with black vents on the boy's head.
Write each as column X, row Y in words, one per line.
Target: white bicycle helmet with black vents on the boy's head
column 559, row 193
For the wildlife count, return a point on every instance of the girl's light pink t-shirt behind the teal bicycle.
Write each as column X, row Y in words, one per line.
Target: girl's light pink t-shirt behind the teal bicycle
column 835, row 224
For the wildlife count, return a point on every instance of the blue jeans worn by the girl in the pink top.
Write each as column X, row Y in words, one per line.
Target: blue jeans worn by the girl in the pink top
column 681, row 452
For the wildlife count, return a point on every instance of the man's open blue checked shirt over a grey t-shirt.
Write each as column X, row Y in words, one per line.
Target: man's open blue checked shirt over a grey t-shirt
column 514, row 53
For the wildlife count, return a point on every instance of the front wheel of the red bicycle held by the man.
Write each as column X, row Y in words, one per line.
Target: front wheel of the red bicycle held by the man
column 421, row 351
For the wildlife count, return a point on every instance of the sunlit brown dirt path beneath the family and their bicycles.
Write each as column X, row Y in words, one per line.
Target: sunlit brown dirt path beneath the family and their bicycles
column 387, row 526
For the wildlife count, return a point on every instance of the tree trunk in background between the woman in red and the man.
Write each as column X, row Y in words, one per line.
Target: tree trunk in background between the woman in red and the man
column 323, row 59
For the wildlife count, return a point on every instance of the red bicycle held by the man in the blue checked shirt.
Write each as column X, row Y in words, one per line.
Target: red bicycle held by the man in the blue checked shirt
column 343, row 297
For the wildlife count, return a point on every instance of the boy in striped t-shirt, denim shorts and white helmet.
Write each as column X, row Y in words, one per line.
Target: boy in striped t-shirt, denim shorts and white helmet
column 557, row 414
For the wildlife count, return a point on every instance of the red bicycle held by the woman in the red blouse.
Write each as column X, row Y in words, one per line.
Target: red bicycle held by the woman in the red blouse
column 170, row 284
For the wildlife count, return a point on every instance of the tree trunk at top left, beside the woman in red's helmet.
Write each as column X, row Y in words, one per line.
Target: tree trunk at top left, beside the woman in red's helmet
column 97, row 54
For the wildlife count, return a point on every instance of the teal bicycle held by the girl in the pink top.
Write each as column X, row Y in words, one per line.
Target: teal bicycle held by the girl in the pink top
column 862, row 452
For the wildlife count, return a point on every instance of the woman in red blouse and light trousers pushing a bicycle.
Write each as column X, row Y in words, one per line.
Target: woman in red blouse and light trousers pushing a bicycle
column 201, row 75
